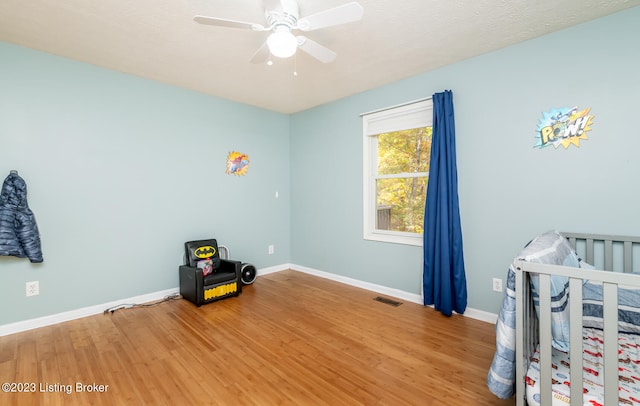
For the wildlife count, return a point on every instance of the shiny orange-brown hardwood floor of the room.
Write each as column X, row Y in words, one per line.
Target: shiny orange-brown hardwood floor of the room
column 289, row 339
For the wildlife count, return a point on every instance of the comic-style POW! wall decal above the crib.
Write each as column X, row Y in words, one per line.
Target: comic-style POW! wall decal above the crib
column 564, row 126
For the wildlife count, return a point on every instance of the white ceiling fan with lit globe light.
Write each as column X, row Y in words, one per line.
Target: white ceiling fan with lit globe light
column 283, row 17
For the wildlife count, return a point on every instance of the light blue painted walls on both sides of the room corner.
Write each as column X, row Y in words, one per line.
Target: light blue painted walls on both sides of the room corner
column 117, row 169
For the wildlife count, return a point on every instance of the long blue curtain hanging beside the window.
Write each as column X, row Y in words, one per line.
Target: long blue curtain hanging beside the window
column 443, row 278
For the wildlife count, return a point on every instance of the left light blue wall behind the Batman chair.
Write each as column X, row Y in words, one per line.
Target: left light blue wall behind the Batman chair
column 121, row 171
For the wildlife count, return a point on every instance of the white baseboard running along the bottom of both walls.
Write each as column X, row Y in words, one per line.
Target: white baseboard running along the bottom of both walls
column 25, row 325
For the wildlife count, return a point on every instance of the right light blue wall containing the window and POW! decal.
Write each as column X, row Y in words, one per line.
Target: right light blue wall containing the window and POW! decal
column 509, row 191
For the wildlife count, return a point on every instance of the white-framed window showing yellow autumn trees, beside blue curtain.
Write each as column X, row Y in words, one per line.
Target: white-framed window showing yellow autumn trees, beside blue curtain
column 397, row 148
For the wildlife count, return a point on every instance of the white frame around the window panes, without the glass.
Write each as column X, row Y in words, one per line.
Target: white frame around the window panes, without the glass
column 410, row 115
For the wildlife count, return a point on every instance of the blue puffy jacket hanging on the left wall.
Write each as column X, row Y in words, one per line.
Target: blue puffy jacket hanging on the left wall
column 19, row 235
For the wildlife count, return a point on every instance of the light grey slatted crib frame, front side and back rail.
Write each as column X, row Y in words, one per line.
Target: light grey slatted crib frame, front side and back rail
column 611, row 251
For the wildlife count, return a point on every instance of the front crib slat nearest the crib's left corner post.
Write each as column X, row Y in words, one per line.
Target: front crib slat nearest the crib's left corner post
column 545, row 338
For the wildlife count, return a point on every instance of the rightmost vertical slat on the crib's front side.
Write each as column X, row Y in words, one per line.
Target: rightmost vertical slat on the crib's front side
column 610, row 352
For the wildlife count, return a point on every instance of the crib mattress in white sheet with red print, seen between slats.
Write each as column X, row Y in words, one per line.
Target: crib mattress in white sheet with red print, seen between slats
column 628, row 370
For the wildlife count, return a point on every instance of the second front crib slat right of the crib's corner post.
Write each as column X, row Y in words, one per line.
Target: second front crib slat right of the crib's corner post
column 575, row 337
